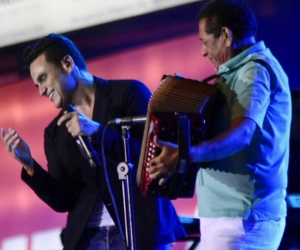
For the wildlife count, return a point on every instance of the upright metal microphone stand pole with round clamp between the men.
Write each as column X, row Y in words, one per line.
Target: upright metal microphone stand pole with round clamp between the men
column 124, row 173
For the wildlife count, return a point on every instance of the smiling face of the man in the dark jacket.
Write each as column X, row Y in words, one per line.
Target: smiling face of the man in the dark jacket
column 54, row 82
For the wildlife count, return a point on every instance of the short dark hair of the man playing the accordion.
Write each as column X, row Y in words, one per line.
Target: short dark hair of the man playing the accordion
column 234, row 14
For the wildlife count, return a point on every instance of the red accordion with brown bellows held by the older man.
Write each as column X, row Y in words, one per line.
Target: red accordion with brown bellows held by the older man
column 178, row 112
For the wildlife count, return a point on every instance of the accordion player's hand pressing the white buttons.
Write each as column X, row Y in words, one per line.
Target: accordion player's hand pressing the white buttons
column 164, row 165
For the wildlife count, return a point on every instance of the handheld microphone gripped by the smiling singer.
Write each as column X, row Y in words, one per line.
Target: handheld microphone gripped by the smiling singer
column 85, row 143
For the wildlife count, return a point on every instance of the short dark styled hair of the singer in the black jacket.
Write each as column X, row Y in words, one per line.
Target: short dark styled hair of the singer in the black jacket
column 55, row 47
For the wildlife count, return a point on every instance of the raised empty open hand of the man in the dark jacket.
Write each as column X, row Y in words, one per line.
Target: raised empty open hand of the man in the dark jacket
column 17, row 148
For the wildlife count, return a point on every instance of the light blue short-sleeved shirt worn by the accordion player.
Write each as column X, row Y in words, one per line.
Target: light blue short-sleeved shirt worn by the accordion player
column 254, row 180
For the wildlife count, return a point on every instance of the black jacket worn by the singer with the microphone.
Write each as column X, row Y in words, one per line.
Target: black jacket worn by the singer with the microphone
column 70, row 185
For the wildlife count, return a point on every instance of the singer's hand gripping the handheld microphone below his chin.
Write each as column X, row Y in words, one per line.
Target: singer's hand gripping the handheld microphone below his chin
column 78, row 124
